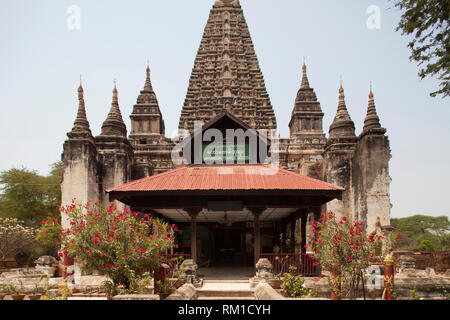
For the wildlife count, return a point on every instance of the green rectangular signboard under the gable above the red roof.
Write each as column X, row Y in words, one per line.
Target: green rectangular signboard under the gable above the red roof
column 226, row 153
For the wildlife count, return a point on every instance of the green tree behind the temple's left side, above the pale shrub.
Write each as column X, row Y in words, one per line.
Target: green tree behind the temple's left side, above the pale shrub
column 28, row 196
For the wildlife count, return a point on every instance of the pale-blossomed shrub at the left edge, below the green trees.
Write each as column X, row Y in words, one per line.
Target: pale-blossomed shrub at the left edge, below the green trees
column 13, row 236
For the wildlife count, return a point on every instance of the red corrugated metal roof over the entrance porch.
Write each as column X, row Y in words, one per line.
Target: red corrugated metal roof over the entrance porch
column 227, row 177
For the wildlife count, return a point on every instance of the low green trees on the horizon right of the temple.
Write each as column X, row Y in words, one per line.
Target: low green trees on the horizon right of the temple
column 416, row 229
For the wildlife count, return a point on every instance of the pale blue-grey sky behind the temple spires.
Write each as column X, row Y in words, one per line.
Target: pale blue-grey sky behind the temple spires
column 41, row 60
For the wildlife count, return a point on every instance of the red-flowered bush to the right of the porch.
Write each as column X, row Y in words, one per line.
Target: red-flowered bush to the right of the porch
column 343, row 249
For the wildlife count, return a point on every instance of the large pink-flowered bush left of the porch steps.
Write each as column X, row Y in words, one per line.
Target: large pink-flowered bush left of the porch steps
column 122, row 245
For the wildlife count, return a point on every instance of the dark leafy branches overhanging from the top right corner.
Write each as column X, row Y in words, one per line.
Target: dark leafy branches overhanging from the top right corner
column 428, row 22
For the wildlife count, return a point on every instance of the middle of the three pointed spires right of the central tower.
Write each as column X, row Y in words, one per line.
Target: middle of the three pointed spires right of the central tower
column 342, row 125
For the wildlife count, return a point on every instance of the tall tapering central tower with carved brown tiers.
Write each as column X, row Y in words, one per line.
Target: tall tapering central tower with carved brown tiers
column 226, row 73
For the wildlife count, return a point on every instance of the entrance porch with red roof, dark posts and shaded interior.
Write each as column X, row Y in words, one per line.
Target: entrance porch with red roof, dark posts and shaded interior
column 232, row 215
